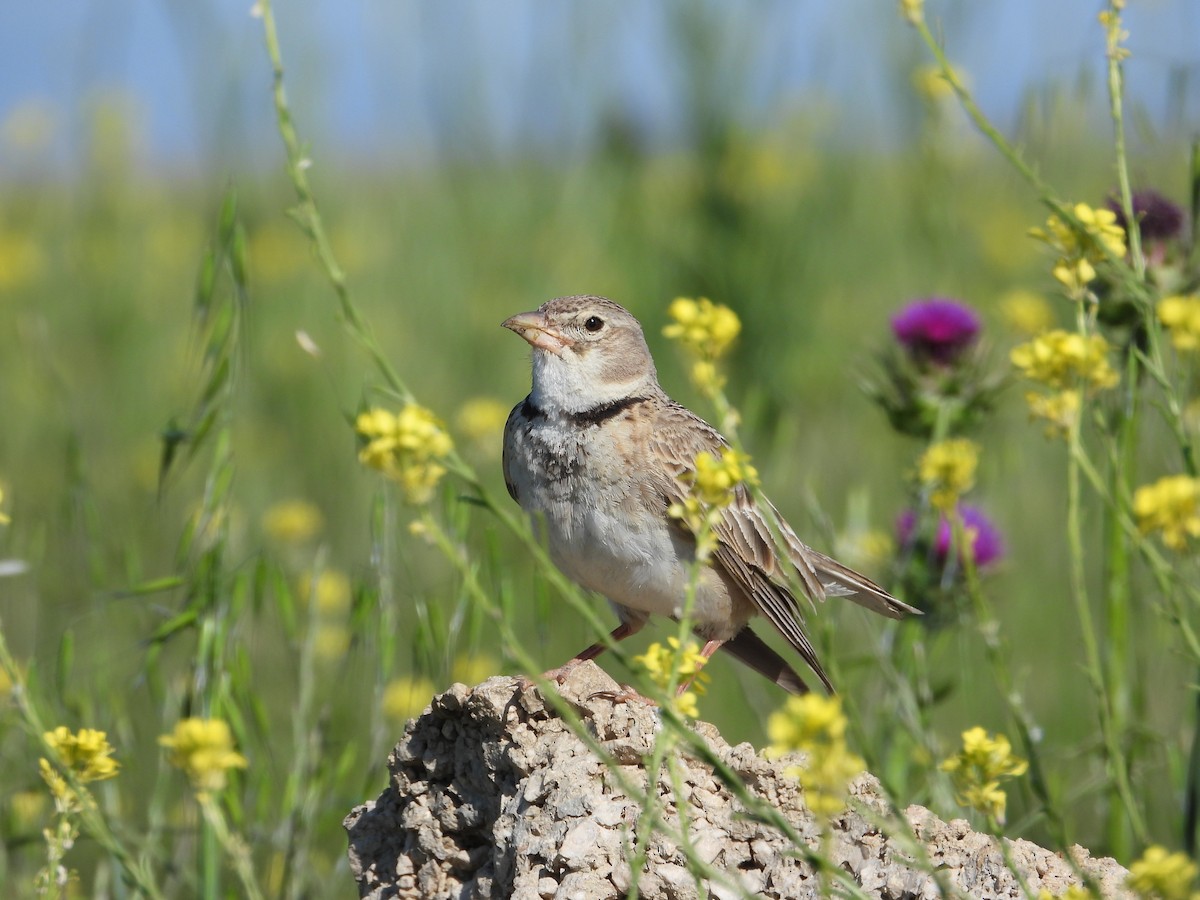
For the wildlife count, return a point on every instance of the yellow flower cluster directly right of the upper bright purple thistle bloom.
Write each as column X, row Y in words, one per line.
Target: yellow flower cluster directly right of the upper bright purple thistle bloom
column 1066, row 363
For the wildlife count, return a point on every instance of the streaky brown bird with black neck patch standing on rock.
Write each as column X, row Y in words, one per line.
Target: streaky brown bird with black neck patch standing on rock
column 597, row 455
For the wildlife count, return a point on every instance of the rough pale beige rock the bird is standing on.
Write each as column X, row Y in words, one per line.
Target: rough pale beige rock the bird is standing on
column 494, row 796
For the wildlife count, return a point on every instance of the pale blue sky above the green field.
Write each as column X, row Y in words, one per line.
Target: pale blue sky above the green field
column 413, row 77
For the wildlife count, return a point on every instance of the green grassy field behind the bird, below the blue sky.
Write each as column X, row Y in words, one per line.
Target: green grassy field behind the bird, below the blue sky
column 148, row 593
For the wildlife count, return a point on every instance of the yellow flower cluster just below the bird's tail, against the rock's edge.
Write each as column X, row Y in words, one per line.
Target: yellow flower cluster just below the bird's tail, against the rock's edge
column 817, row 727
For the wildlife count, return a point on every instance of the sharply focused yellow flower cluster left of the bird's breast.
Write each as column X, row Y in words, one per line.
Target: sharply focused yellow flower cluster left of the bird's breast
column 407, row 447
